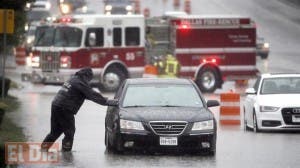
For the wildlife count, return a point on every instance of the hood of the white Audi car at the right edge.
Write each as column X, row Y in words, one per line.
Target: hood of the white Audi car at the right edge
column 279, row 100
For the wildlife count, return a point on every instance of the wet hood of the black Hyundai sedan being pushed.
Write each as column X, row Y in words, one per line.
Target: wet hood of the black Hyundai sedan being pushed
column 146, row 114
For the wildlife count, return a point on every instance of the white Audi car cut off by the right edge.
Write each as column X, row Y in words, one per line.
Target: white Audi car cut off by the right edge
column 273, row 103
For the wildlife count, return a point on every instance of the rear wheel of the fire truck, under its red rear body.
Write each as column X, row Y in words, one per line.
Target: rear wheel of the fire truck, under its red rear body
column 207, row 79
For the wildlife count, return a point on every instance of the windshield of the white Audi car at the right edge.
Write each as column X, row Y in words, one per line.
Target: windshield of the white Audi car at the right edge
column 284, row 85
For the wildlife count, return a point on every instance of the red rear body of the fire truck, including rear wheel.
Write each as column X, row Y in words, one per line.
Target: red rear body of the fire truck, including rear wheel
column 212, row 49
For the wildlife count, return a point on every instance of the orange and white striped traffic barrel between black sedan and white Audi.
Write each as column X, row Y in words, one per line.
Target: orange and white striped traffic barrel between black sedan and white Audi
column 230, row 109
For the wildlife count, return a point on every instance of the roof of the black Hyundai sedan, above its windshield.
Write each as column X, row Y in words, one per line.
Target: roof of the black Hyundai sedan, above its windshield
column 158, row 81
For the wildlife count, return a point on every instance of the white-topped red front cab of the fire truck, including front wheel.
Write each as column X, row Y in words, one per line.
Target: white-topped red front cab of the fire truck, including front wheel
column 113, row 45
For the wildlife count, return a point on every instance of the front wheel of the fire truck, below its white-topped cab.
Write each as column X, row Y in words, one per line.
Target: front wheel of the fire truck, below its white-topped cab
column 112, row 79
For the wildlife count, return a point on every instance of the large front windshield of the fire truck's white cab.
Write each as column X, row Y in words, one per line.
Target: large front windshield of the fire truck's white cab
column 58, row 36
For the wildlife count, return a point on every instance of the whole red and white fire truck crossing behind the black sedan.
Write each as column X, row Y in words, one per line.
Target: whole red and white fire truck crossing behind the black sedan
column 210, row 49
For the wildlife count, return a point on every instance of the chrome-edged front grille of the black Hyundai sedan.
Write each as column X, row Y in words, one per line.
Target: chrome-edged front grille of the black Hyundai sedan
column 168, row 127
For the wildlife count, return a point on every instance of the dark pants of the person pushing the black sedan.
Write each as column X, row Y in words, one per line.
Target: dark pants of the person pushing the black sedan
column 62, row 121
